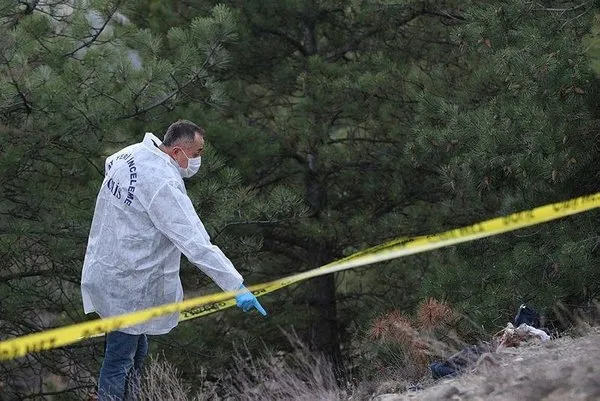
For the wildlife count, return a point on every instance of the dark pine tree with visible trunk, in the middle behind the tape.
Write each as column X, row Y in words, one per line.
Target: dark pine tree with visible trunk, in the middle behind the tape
column 321, row 104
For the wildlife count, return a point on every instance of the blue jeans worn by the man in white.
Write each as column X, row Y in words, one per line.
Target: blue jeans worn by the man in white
column 121, row 369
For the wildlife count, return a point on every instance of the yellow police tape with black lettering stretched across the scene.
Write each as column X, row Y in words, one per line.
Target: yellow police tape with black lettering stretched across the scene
column 204, row 305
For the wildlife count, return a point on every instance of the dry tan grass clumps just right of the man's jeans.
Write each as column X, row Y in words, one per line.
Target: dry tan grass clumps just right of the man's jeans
column 302, row 375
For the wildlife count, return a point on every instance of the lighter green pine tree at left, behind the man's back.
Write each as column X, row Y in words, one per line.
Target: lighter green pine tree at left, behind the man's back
column 79, row 81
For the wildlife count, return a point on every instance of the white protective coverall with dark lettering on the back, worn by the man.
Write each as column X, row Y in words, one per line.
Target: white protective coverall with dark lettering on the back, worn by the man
column 143, row 222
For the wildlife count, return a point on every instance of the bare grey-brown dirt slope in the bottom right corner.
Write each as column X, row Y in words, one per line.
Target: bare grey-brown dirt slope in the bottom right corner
column 562, row 369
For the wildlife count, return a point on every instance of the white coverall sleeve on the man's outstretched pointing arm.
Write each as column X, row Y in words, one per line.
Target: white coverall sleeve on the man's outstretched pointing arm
column 173, row 214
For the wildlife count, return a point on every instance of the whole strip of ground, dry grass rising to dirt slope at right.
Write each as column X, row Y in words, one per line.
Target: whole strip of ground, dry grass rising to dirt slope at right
column 563, row 369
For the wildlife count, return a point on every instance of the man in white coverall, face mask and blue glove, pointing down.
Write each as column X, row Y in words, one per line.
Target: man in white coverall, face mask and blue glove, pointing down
column 143, row 222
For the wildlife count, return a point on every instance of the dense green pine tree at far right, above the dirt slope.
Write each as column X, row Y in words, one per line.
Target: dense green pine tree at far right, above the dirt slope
column 515, row 130
